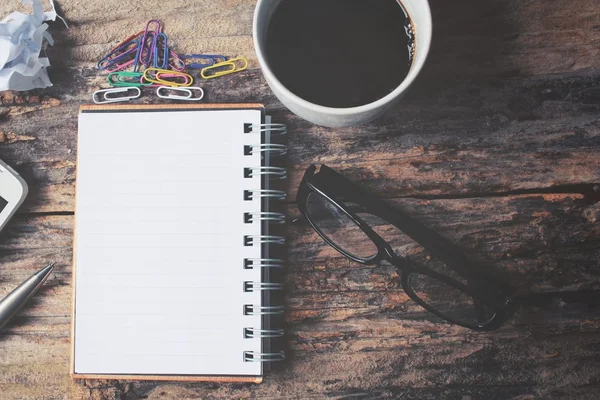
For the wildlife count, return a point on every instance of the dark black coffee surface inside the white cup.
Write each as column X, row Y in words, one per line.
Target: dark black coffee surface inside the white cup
column 340, row 53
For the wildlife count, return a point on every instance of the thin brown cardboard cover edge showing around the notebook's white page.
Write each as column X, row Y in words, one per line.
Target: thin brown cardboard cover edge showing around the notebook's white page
column 170, row 378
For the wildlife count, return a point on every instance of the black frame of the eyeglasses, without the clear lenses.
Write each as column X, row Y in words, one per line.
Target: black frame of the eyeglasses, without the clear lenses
column 482, row 287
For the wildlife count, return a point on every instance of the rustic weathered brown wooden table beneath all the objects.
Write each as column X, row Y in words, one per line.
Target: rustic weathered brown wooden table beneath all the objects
column 496, row 146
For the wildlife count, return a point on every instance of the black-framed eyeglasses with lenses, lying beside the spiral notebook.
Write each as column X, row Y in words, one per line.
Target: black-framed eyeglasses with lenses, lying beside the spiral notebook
column 343, row 214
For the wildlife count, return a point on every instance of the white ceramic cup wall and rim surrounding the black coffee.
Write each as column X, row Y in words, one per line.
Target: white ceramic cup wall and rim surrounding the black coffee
column 420, row 15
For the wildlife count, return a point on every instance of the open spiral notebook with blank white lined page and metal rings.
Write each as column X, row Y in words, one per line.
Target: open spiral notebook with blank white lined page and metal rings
column 174, row 265
